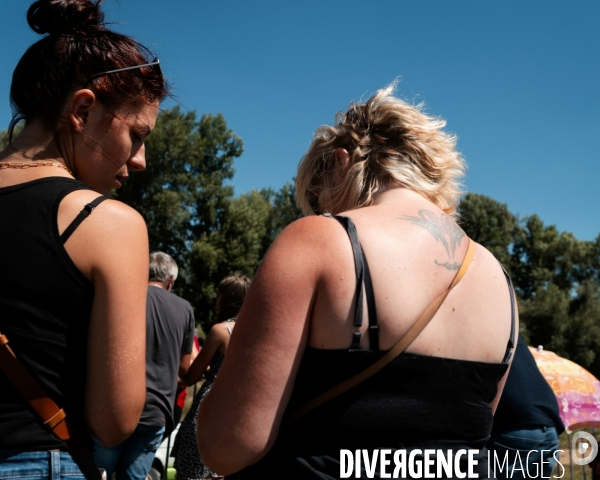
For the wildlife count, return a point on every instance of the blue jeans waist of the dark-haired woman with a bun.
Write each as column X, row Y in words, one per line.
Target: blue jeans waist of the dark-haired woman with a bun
column 52, row 465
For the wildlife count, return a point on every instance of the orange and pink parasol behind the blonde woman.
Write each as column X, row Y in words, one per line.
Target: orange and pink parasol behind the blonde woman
column 576, row 389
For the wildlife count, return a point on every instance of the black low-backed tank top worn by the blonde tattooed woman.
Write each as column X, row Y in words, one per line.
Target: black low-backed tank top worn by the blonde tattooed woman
column 416, row 401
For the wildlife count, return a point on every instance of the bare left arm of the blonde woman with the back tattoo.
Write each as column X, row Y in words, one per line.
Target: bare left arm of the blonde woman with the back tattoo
column 239, row 420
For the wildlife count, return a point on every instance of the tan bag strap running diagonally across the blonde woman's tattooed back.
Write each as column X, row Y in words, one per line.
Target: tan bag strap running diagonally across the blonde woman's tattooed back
column 396, row 350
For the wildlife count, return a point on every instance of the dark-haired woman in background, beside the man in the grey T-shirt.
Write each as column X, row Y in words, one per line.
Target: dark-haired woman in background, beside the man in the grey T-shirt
column 230, row 296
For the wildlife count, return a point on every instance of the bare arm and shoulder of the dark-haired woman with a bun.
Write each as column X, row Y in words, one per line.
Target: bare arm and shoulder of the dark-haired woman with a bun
column 111, row 249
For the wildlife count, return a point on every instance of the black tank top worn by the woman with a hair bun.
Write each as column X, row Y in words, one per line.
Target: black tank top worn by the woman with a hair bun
column 45, row 304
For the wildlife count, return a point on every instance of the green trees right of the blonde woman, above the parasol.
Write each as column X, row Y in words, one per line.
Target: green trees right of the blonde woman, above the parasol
column 556, row 277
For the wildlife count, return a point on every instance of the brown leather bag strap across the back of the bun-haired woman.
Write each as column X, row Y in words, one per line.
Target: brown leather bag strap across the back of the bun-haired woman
column 52, row 415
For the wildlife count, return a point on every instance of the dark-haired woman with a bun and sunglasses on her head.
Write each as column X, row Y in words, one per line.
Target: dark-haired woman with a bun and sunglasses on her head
column 72, row 289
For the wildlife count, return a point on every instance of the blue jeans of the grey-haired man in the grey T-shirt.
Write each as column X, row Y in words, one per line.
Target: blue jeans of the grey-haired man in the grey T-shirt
column 132, row 458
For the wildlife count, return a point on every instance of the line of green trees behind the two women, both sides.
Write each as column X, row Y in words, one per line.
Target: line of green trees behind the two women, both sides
column 192, row 214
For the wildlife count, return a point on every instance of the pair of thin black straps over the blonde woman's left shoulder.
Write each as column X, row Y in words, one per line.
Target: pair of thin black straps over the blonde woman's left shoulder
column 363, row 276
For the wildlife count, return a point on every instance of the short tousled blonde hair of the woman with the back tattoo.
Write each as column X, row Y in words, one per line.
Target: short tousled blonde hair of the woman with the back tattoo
column 388, row 140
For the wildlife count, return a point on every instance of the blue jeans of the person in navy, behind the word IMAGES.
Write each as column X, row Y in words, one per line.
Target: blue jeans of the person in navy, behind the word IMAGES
column 526, row 446
